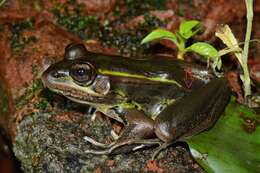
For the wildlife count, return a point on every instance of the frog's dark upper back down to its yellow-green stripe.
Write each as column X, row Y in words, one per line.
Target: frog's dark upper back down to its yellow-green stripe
column 154, row 68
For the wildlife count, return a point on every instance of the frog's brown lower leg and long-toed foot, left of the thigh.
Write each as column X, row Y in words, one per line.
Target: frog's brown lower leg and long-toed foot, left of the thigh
column 137, row 134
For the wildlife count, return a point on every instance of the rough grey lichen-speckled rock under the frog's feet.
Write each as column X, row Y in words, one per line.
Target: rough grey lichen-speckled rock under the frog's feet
column 54, row 143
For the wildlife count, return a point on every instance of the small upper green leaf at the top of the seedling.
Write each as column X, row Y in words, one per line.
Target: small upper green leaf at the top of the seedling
column 189, row 28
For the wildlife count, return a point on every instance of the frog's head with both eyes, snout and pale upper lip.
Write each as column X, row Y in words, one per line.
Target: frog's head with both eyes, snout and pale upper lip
column 77, row 79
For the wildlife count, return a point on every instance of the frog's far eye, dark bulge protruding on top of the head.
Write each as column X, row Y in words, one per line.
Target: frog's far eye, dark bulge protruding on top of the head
column 74, row 51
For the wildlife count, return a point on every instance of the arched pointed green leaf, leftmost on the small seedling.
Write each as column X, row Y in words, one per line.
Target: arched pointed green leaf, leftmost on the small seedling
column 160, row 34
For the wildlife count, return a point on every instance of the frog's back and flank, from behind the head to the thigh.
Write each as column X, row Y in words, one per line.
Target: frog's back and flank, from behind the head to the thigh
column 150, row 83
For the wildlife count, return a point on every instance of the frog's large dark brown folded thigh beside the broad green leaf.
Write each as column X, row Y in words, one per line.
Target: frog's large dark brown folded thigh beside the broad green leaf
column 193, row 113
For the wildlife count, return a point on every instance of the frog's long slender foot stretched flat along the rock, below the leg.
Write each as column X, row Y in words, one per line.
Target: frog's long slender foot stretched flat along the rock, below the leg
column 126, row 146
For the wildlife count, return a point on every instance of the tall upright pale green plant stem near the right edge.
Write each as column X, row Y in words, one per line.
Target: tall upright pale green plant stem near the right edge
column 246, row 76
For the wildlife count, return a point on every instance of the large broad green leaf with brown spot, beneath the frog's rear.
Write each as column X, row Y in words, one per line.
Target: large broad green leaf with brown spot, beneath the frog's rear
column 232, row 145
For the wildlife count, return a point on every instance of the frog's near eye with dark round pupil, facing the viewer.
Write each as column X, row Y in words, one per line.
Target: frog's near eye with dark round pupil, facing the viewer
column 83, row 74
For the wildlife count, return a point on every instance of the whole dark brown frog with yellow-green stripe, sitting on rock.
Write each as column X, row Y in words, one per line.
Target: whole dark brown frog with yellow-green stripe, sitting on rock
column 159, row 100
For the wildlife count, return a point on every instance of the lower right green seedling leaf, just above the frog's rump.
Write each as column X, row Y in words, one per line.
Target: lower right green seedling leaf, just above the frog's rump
column 203, row 49
